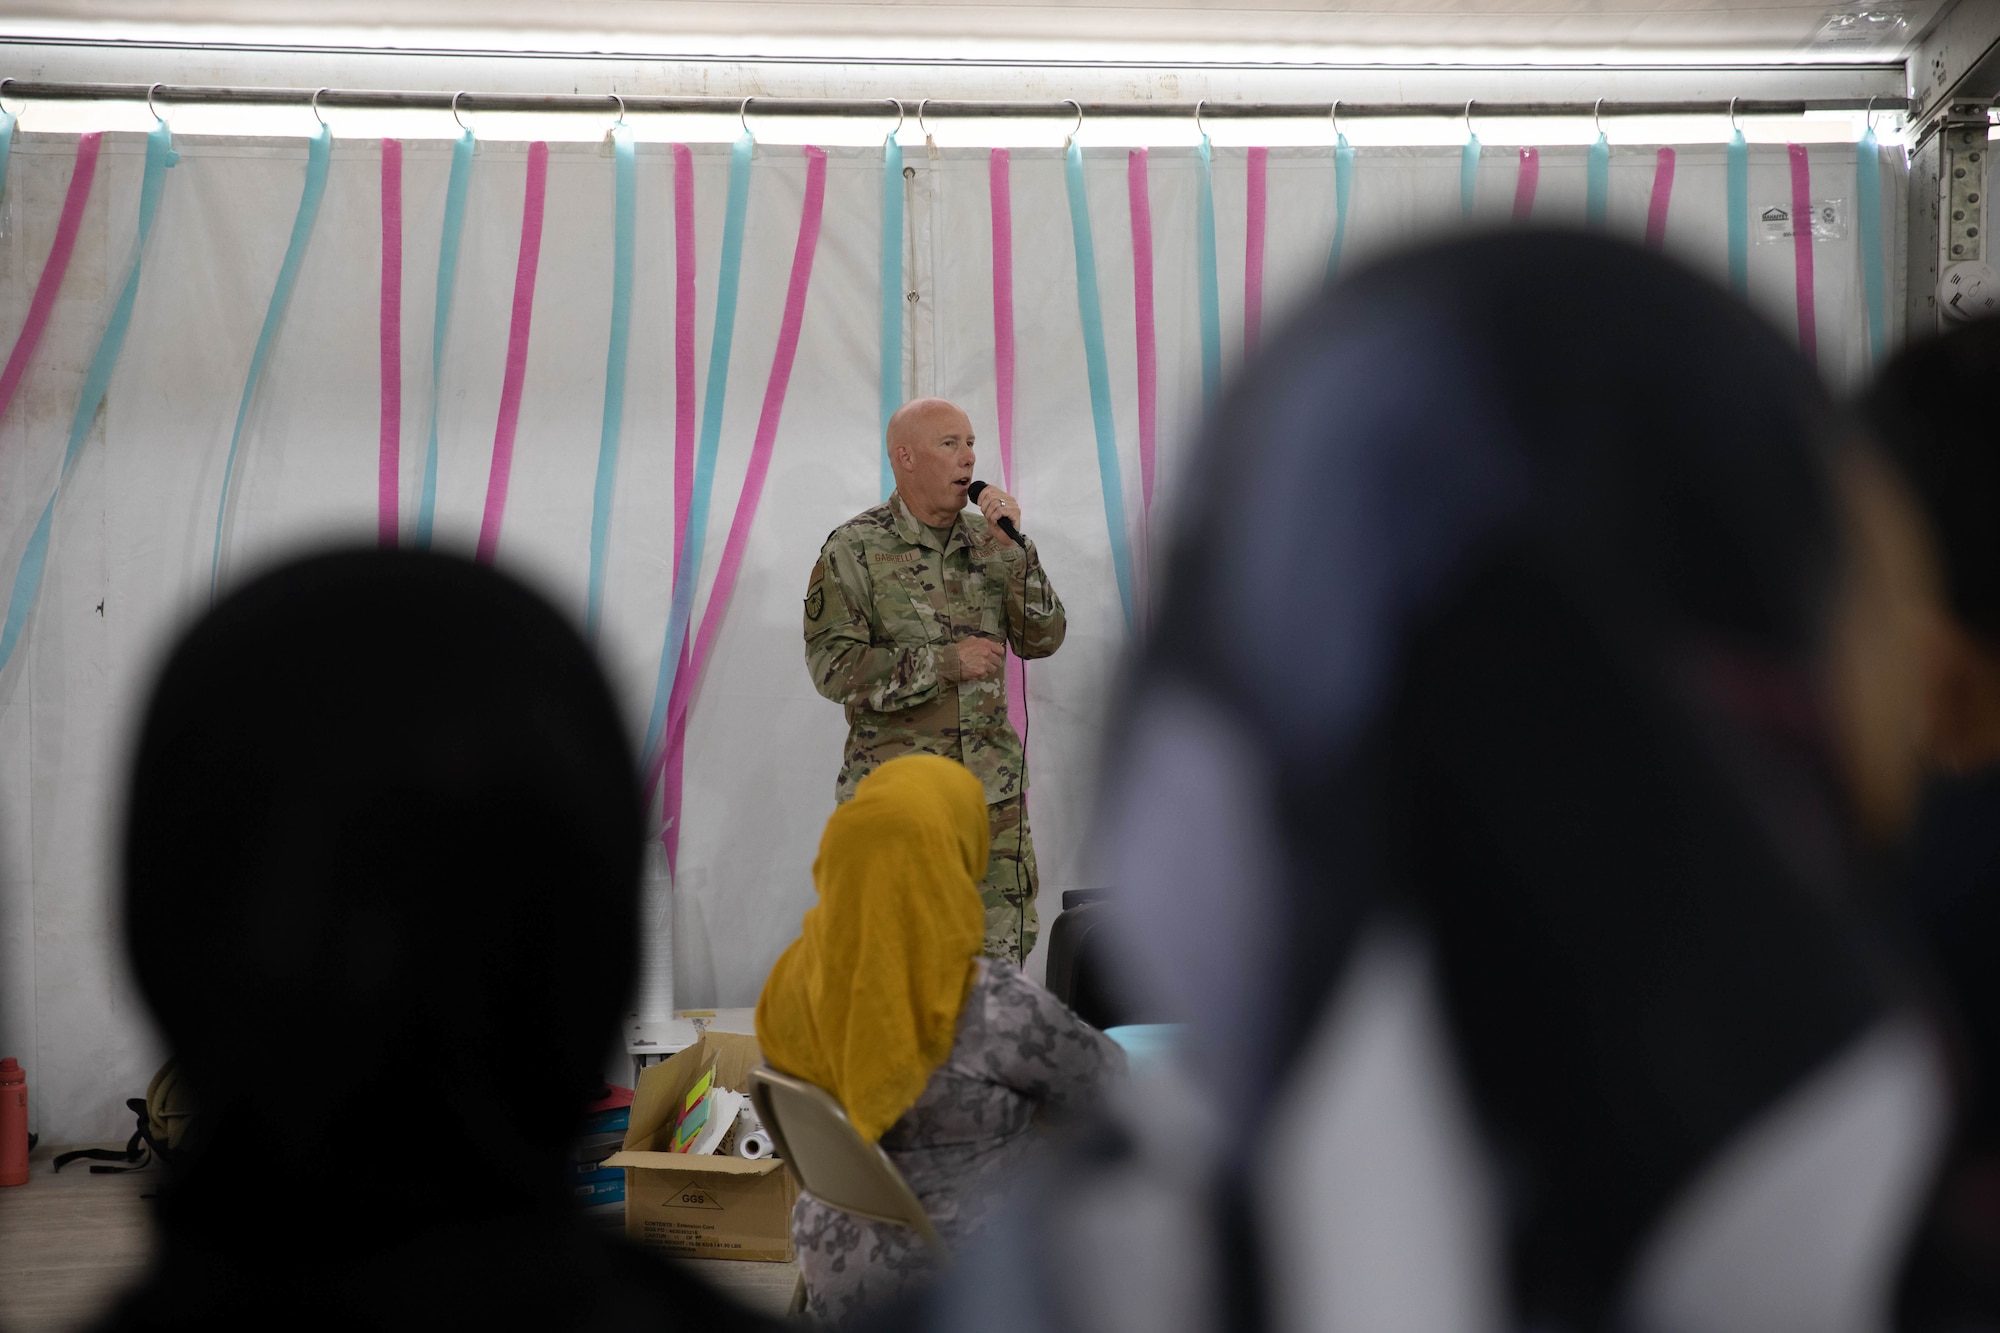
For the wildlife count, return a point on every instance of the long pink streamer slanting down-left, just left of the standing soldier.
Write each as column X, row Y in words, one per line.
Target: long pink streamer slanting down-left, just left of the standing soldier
column 747, row 501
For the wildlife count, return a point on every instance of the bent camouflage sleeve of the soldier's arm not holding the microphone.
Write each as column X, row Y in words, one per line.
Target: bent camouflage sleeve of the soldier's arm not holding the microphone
column 843, row 655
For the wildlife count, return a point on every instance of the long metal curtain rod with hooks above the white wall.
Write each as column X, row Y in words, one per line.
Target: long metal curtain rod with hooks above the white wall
column 883, row 107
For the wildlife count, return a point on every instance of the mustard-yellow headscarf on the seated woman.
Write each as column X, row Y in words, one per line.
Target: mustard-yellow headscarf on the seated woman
column 865, row 1004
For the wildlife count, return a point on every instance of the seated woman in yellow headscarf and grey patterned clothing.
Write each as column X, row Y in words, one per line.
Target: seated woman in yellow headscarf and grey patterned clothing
column 935, row 1052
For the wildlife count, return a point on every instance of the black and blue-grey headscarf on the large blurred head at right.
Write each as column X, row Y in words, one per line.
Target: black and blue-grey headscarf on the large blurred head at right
column 1497, row 605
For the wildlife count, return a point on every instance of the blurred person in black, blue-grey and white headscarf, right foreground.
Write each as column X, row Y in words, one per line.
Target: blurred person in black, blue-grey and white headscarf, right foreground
column 1531, row 663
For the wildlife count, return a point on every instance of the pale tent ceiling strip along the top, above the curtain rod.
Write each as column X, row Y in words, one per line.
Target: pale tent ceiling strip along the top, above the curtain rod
column 1527, row 31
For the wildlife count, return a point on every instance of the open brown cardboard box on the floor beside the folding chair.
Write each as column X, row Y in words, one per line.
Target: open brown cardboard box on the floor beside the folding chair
column 703, row 1208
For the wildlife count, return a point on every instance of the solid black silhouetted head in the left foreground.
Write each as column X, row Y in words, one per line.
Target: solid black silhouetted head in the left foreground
column 381, row 874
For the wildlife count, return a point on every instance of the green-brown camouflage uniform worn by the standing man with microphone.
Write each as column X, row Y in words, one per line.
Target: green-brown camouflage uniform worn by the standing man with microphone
column 885, row 613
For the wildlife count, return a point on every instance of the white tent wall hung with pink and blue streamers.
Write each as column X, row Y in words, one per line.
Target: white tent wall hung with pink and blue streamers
column 137, row 517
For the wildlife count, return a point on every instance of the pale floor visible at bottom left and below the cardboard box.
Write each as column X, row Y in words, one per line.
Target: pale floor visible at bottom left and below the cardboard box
column 71, row 1242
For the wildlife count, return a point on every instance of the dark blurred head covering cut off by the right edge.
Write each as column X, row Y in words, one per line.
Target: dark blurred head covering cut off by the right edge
column 1933, row 411
